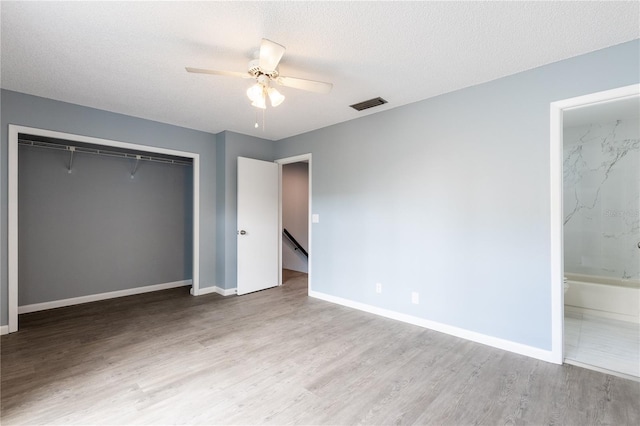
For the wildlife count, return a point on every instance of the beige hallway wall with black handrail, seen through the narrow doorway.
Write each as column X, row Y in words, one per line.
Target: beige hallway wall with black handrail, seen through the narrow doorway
column 295, row 214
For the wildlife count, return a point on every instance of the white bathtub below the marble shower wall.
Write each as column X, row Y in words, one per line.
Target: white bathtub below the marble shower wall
column 605, row 297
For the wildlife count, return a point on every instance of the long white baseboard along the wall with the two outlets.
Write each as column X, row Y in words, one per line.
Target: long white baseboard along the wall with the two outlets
column 507, row 345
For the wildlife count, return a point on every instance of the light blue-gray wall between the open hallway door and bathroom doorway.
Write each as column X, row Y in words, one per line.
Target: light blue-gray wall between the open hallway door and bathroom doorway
column 450, row 197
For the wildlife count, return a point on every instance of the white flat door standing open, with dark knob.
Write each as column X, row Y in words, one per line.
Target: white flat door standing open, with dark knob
column 257, row 225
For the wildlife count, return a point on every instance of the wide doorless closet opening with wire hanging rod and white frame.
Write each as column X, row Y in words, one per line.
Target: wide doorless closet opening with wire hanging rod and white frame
column 97, row 219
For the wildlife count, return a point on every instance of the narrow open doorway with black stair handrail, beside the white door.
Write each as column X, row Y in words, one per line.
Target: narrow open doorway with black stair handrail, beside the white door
column 295, row 220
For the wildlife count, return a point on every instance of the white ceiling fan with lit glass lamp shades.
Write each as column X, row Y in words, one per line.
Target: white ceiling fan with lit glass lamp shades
column 264, row 69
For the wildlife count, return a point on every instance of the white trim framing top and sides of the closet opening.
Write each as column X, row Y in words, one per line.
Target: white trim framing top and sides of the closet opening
column 12, row 237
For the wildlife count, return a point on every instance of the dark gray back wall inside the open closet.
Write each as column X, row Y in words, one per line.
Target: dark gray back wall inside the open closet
column 96, row 229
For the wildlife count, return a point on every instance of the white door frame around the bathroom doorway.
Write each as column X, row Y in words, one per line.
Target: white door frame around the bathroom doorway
column 556, row 178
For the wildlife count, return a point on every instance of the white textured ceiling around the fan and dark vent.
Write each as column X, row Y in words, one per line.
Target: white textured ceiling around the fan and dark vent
column 129, row 57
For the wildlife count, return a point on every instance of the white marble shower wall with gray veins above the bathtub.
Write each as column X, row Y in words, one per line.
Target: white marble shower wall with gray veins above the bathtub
column 602, row 199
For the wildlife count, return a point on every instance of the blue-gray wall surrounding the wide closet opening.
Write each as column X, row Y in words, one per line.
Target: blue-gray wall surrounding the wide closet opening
column 48, row 114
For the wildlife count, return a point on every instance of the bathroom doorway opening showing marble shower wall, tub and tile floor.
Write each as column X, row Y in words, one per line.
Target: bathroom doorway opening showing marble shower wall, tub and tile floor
column 600, row 234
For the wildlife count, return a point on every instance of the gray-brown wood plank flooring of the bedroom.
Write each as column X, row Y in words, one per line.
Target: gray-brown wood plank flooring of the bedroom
column 279, row 357
